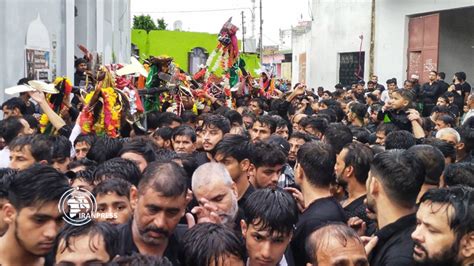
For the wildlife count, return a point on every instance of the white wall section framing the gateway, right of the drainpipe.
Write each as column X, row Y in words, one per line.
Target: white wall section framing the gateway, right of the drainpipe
column 391, row 40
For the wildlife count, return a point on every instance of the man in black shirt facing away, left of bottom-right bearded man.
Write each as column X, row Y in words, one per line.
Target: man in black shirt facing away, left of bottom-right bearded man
column 394, row 181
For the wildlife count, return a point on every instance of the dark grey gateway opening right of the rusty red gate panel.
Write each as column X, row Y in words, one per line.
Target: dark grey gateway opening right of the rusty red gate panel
column 456, row 46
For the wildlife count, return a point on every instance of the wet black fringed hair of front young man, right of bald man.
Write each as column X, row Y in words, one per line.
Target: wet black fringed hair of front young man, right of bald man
column 274, row 210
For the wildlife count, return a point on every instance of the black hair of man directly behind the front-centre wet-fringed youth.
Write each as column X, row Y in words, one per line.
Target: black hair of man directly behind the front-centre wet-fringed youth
column 266, row 154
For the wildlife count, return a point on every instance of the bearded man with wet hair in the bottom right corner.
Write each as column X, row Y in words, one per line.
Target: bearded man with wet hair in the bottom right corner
column 444, row 234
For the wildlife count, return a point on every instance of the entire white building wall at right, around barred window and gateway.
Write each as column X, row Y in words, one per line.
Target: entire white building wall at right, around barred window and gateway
column 337, row 25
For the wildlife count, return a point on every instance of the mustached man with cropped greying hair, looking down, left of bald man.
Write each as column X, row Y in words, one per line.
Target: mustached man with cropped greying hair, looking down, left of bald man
column 159, row 203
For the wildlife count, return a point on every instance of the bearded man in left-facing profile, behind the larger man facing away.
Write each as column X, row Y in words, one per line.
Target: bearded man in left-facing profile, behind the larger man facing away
column 352, row 167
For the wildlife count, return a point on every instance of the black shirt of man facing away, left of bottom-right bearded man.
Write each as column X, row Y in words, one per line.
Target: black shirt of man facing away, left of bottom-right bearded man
column 395, row 246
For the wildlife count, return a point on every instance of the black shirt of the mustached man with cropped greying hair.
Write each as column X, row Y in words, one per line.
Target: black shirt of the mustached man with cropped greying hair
column 127, row 246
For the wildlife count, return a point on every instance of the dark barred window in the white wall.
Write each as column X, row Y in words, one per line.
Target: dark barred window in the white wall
column 351, row 67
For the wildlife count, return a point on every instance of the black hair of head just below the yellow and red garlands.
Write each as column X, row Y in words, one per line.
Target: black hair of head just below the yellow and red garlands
column 104, row 148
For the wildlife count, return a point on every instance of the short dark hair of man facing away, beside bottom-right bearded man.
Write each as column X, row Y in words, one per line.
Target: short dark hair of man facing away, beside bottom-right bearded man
column 401, row 173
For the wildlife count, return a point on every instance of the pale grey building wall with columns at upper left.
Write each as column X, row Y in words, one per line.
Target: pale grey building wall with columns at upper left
column 89, row 28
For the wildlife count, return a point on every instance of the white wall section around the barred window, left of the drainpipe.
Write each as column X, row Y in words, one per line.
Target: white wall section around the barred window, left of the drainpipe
column 336, row 29
